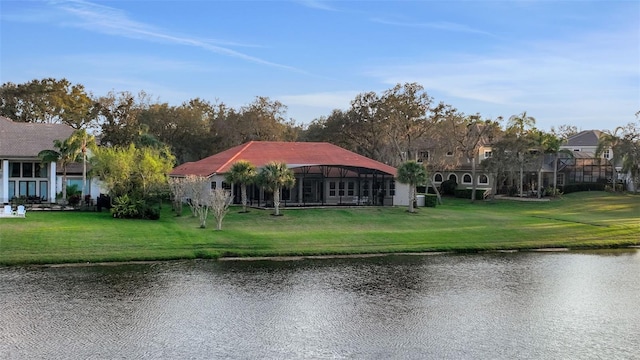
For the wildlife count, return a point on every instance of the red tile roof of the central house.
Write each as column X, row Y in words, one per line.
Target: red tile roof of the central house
column 294, row 154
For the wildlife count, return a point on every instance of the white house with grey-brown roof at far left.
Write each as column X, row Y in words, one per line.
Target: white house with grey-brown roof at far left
column 22, row 174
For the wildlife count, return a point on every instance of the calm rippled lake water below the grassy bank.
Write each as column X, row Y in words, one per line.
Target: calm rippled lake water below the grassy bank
column 492, row 306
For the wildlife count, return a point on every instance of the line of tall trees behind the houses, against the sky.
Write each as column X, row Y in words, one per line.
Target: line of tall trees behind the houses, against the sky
column 397, row 125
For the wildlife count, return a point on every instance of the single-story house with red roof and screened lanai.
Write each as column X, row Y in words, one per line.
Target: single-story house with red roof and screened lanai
column 325, row 174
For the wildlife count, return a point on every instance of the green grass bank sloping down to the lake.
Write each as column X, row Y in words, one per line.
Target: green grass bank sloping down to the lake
column 578, row 220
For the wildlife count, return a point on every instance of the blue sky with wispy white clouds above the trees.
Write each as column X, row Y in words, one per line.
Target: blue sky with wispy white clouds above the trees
column 564, row 62
